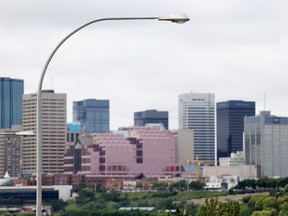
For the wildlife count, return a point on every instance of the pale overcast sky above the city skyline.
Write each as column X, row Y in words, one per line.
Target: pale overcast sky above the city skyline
column 236, row 49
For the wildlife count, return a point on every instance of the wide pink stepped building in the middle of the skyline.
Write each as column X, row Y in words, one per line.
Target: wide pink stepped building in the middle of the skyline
column 127, row 152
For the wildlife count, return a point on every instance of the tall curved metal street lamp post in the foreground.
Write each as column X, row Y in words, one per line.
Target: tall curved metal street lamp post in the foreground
column 180, row 19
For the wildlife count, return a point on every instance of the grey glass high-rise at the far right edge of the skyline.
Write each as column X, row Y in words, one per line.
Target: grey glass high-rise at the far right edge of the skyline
column 266, row 144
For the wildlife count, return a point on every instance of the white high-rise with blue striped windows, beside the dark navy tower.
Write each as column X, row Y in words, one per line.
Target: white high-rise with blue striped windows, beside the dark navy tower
column 197, row 112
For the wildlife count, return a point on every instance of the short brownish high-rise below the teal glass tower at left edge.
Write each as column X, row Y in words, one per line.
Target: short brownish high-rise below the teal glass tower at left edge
column 10, row 152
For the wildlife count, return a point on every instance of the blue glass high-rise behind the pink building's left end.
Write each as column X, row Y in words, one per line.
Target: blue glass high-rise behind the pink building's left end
column 92, row 114
